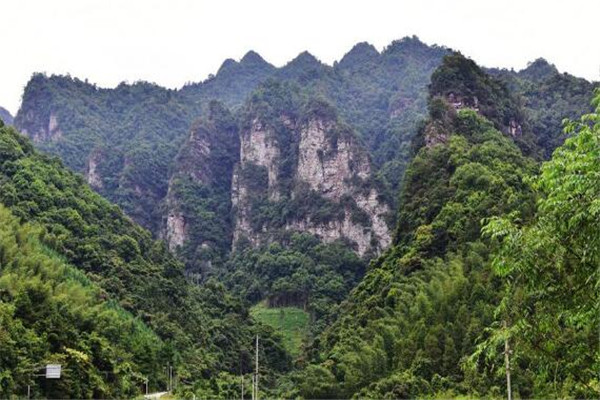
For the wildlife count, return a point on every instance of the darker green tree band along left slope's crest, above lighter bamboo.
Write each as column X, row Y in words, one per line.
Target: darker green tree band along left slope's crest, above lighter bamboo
column 204, row 329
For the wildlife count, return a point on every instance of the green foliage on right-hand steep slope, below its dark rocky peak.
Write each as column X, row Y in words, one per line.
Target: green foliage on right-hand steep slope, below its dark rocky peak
column 407, row 328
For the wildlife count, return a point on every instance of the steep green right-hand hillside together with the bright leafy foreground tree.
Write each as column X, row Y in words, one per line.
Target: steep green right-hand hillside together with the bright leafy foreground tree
column 420, row 321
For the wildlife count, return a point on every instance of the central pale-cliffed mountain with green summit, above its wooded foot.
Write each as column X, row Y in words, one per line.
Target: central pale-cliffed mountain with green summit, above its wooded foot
column 302, row 169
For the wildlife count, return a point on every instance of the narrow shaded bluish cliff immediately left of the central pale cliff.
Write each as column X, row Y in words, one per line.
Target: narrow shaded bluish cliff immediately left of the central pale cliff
column 198, row 204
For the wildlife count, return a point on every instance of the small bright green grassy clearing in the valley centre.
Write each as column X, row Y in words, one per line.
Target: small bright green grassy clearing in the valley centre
column 290, row 322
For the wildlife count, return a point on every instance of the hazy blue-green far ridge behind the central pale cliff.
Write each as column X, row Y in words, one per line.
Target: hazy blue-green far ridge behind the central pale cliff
column 125, row 140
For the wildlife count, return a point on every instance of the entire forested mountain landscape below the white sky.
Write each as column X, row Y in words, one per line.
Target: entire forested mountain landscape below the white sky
column 387, row 226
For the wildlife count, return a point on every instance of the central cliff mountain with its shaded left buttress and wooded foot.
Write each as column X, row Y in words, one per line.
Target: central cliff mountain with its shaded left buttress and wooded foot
column 290, row 182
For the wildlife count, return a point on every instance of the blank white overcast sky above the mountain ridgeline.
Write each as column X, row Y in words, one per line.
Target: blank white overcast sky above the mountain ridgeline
column 177, row 41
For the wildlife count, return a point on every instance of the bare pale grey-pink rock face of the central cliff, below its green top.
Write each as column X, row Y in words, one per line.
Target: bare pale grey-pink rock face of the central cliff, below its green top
column 331, row 164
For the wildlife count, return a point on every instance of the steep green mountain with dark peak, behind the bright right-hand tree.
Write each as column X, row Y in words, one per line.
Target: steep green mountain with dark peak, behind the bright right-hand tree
column 415, row 324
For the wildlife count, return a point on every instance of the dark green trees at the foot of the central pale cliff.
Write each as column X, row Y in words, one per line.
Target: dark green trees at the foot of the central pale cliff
column 304, row 273
